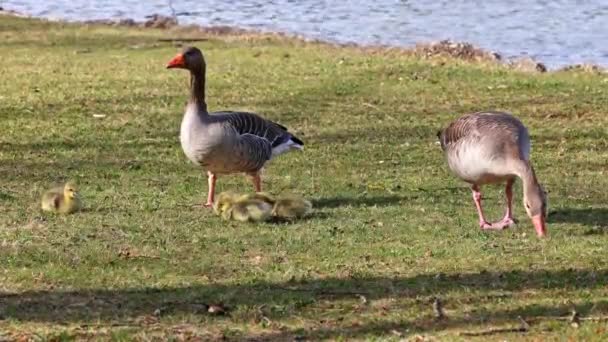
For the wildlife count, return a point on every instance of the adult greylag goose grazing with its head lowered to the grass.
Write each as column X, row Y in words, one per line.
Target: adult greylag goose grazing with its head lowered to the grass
column 493, row 147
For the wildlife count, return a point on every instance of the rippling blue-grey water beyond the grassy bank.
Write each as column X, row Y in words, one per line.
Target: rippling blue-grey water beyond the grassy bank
column 556, row 32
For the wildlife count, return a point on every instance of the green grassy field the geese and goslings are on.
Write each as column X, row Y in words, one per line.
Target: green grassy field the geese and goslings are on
column 391, row 230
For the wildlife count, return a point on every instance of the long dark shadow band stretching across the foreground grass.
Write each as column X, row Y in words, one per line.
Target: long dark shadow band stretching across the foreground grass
column 105, row 305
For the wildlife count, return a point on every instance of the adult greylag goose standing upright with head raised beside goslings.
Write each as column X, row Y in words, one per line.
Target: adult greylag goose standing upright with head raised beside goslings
column 226, row 142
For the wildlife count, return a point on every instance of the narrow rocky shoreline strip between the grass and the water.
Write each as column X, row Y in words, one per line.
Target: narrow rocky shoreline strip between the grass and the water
column 443, row 48
